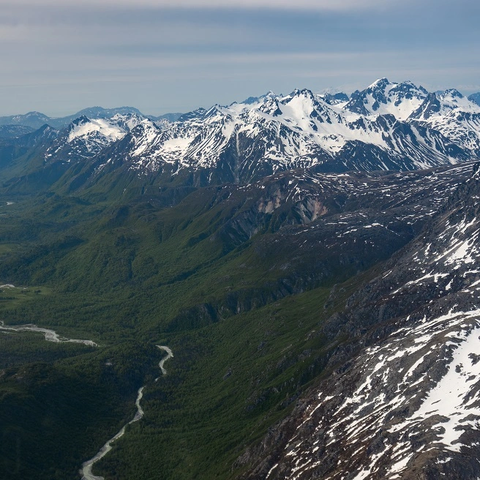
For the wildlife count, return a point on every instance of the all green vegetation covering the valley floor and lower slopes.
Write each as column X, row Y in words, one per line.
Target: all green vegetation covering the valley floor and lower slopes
column 208, row 277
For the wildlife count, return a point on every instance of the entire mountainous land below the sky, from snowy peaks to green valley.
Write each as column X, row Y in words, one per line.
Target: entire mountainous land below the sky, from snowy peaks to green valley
column 311, row 260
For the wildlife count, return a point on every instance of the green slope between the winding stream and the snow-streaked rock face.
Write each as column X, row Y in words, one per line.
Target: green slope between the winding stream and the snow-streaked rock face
column 225, row 386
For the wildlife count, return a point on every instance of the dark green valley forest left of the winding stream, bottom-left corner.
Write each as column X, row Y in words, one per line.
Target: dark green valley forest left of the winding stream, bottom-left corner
column 64, row 402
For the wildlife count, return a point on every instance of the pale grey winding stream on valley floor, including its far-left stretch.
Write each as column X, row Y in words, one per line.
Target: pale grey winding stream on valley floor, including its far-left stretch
column 52, row 336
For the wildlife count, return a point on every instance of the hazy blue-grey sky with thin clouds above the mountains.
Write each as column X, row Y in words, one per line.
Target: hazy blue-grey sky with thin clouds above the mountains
column 160, row 56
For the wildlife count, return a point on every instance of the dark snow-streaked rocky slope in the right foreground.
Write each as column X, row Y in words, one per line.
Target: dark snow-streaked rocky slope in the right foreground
column 404, row 399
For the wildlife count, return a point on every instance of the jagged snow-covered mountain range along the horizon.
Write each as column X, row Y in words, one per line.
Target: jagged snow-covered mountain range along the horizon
column 388, row 126
